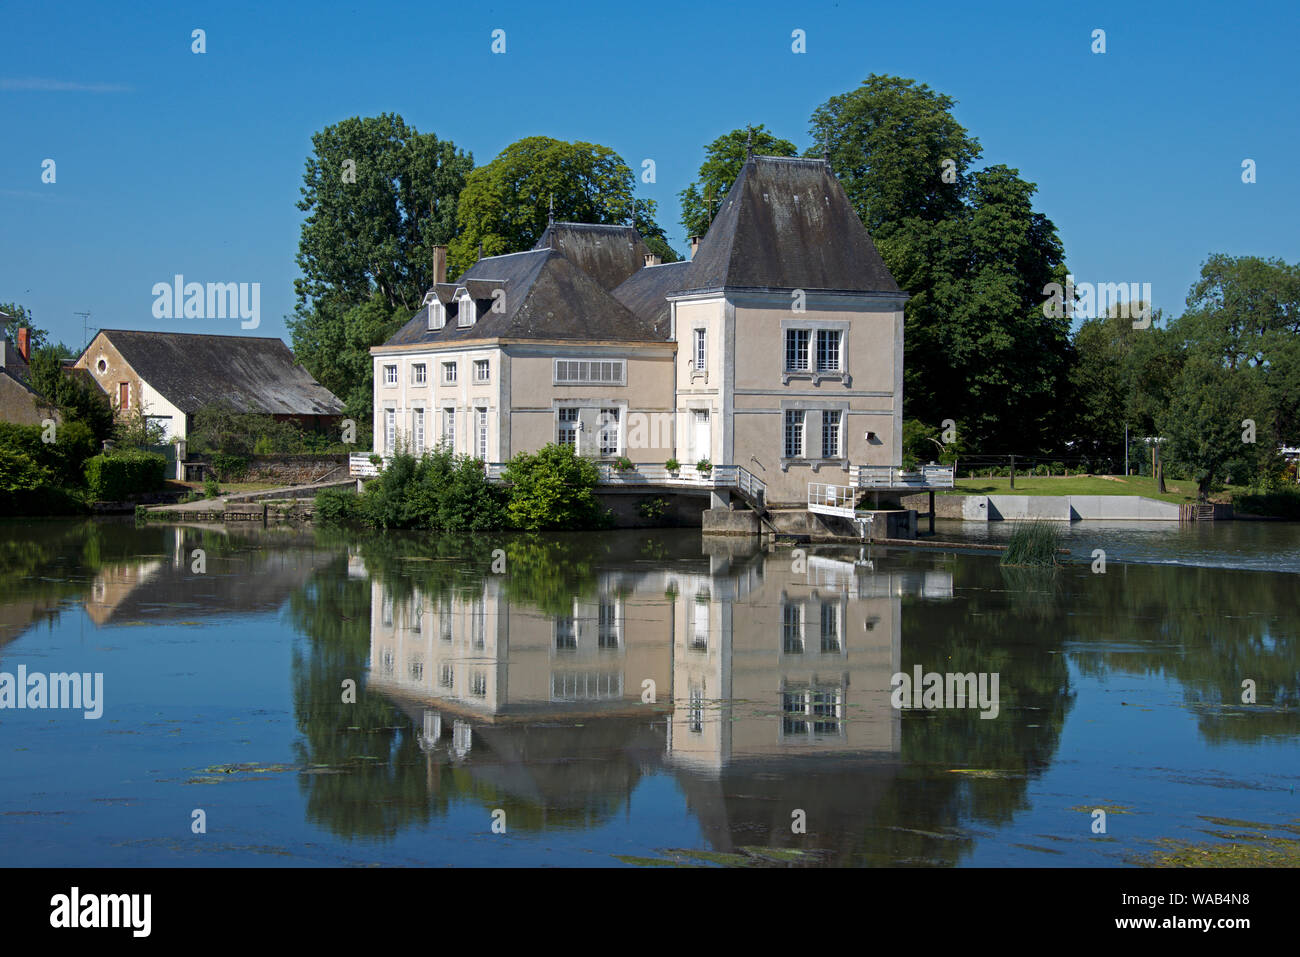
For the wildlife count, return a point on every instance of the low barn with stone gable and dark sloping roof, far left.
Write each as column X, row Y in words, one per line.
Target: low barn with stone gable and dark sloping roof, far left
column 171, row 376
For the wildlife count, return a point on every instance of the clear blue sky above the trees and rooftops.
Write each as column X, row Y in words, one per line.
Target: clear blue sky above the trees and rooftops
column 171, row 162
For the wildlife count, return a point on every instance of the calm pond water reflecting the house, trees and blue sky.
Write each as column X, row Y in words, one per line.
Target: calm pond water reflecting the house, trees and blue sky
column 640, row 698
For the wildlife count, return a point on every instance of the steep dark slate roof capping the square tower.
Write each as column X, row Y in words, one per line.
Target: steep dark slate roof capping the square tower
column 787, row 224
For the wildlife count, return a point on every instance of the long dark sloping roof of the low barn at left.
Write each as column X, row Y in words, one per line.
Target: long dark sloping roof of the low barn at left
column 248, row 373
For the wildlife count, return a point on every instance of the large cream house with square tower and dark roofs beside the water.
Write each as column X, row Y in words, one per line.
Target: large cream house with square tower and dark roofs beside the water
column 777, row 349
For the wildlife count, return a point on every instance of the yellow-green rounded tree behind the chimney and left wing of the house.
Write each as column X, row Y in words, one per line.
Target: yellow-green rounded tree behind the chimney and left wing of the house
column 505, row 205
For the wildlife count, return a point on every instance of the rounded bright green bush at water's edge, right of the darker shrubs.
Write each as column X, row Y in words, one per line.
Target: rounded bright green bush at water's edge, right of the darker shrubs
column 553, row 490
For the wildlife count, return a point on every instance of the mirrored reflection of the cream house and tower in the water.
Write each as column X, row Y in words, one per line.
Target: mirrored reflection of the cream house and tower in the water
column 760, row 681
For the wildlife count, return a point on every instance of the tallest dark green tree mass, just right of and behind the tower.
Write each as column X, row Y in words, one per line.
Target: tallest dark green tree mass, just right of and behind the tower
column 973, row 254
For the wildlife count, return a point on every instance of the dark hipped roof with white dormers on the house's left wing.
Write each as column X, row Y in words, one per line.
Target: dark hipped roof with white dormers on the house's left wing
column 547, row 297
